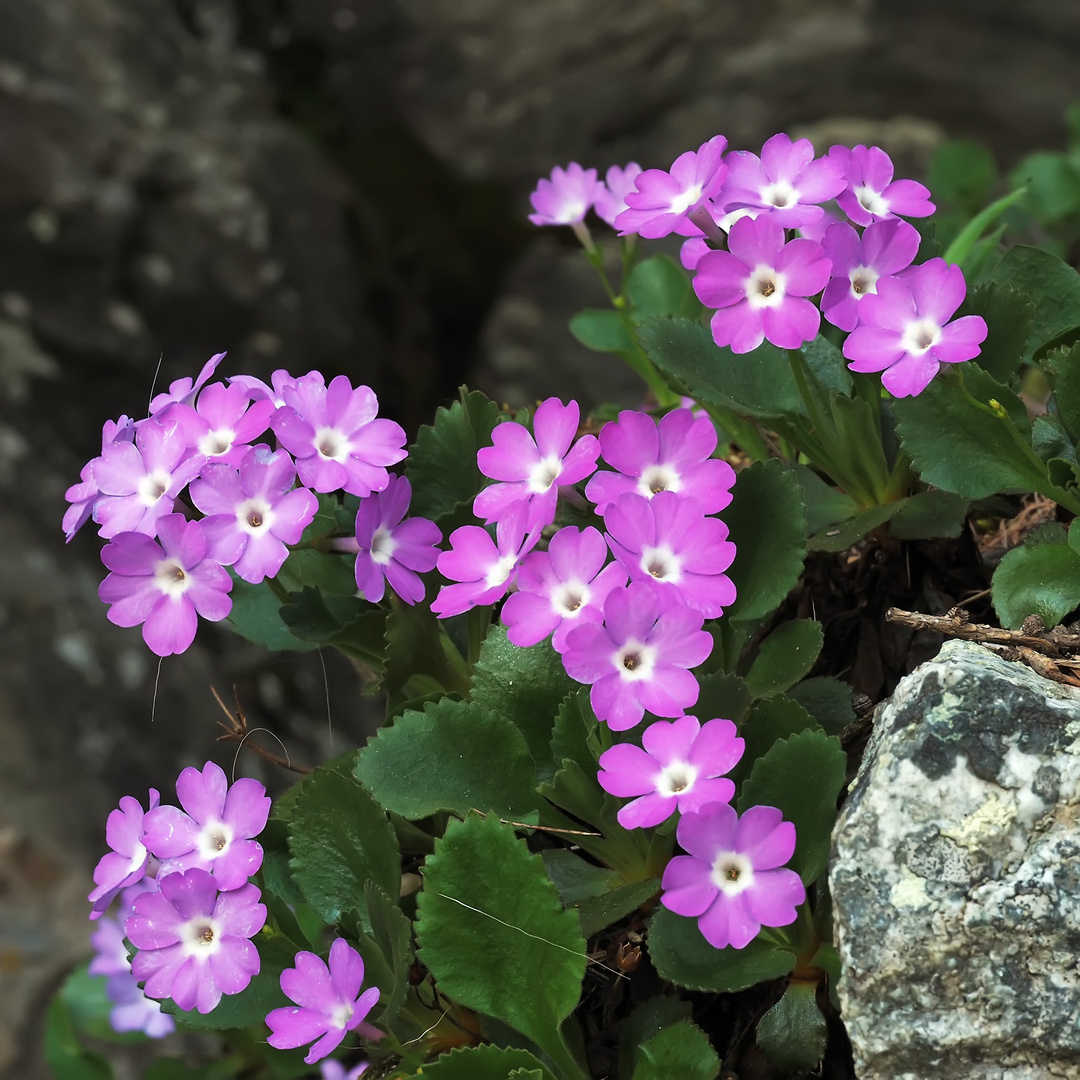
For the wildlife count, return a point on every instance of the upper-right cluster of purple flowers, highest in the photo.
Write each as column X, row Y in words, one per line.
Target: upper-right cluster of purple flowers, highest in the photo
column 740, row 213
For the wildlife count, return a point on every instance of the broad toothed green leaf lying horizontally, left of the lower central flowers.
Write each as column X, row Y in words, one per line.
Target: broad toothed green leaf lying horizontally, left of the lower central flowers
column 453, row 757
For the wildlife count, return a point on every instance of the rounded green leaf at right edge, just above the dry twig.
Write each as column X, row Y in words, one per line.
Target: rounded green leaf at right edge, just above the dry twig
column 1041, row 579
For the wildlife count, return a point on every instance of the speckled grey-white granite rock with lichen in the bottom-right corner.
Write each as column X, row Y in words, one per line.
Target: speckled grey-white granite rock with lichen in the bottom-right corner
column 956, row 877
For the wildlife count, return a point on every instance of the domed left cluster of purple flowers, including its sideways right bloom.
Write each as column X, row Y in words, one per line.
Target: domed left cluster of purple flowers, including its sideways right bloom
column 168, row 568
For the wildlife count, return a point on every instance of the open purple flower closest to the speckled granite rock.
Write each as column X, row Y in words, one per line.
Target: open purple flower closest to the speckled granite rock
column 732, row 880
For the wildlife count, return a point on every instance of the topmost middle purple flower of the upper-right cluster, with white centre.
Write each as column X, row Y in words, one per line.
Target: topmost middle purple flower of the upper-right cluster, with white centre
column 786, row 181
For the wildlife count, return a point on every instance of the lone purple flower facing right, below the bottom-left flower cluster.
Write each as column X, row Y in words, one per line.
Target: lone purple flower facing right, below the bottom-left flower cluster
column 329, row 1003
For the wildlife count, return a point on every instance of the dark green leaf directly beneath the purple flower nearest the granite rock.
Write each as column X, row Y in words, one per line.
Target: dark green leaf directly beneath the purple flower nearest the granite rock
column 682, row 955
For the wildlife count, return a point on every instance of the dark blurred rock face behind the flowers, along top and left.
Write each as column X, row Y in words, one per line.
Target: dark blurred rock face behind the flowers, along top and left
column 342, row 184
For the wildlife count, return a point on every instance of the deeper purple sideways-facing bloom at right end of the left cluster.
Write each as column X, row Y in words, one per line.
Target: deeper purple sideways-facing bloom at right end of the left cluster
column 389, row 549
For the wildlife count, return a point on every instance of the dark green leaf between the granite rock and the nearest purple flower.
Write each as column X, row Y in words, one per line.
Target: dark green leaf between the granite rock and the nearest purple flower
column 803, row 777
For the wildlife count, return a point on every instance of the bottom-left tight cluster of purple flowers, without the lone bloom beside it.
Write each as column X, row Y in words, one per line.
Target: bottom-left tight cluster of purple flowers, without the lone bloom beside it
column 186, row 901
